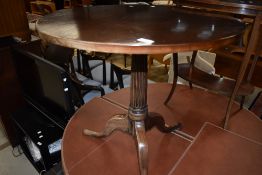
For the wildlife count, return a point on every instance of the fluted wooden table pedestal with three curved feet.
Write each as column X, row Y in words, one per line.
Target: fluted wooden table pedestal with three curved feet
column 138, row 120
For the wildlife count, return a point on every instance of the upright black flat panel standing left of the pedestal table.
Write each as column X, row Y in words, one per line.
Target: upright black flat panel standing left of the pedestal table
column 45, row 85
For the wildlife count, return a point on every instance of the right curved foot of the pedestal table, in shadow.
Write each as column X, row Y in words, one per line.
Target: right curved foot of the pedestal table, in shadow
column 155, row 119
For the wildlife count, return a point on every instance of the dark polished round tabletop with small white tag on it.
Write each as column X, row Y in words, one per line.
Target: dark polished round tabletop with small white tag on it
column 137, row 29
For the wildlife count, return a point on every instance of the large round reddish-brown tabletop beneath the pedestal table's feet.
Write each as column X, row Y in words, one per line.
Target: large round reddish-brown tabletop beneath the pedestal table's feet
column 116, row 154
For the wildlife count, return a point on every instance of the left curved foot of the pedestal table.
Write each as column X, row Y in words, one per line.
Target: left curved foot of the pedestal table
column 118, row 122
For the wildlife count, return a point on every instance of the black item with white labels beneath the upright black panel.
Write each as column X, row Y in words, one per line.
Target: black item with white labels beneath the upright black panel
column 37, row 134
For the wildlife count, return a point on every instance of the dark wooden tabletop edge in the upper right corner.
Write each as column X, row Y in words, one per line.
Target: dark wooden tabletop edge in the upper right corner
column 247, row 8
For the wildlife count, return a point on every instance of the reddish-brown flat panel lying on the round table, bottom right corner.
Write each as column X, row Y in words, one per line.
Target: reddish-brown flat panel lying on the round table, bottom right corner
column 216, row 152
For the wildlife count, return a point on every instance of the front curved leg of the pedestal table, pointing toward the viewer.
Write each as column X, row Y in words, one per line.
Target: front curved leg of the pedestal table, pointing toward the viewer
column 142, row 146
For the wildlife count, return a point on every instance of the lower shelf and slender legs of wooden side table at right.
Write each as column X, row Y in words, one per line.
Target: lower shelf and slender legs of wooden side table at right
column 219, row 84
